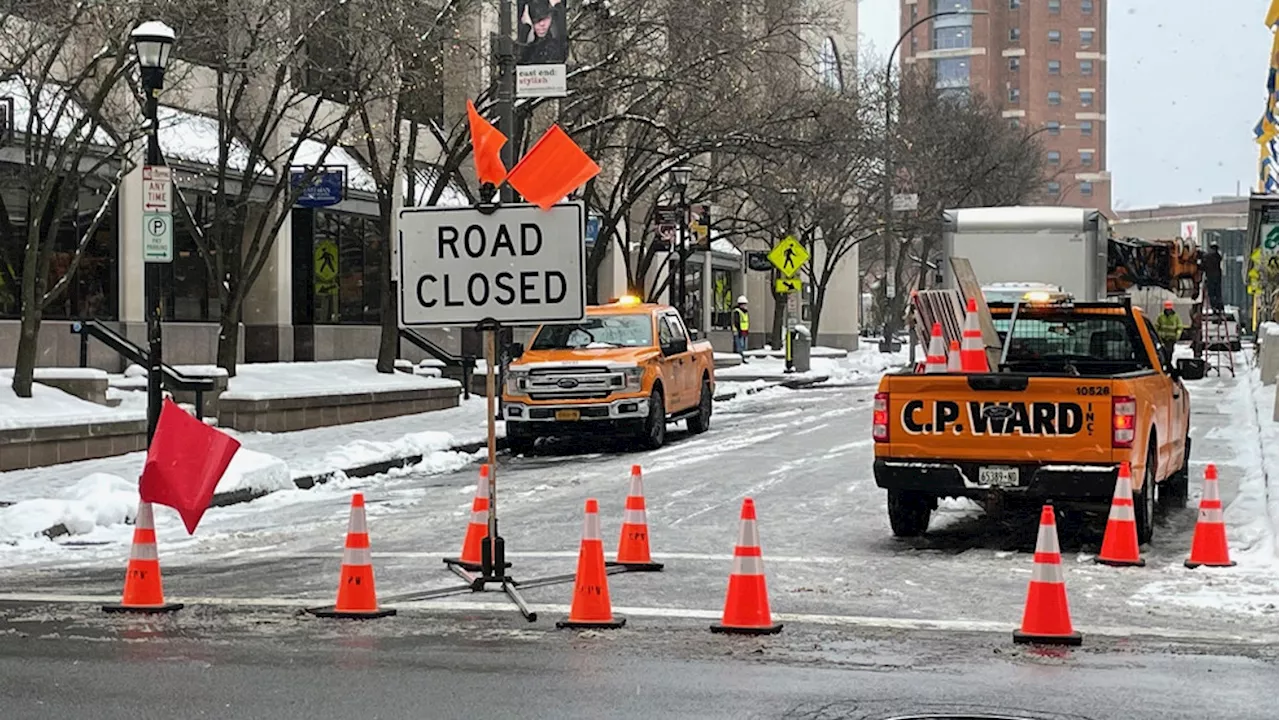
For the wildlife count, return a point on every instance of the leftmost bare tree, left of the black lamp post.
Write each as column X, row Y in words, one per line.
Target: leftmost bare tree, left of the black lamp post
column 63, row 72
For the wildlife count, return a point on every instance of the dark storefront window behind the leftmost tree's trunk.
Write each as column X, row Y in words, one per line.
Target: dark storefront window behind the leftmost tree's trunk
column 94, row 293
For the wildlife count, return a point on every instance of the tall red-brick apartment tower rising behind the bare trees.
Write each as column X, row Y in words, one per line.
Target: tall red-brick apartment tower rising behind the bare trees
column 1044, row 63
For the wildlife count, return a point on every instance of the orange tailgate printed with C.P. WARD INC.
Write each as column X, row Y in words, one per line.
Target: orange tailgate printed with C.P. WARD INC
column 999, row 418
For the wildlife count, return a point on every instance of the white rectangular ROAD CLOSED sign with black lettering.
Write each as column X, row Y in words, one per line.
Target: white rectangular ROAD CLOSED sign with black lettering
column 516, row 266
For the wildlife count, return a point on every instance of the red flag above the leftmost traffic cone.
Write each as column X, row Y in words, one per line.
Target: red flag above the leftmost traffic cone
column 185, row 463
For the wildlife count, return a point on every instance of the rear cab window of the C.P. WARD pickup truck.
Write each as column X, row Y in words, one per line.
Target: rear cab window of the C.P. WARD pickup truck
column 1089, row 345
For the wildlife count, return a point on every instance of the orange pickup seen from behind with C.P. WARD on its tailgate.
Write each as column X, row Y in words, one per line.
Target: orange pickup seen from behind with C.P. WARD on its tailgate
column 1081, row 389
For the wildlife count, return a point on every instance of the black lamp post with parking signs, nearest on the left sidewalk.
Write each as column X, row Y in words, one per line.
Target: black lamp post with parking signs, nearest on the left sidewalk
column 154, row 43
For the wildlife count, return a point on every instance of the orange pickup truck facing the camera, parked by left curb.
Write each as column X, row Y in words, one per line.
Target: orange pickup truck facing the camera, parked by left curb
column 629, row 368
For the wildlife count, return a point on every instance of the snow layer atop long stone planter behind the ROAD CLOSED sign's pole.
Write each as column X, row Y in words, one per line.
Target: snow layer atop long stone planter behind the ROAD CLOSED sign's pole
column 273, row 381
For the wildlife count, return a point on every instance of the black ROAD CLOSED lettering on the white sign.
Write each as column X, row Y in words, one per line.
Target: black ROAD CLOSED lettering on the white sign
column 478, row 290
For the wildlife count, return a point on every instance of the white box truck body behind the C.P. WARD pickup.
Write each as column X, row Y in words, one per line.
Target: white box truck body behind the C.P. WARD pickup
column 1057, row 247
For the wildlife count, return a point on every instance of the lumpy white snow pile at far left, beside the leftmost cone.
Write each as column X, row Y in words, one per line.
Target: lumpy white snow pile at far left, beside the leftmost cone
column 95, row 502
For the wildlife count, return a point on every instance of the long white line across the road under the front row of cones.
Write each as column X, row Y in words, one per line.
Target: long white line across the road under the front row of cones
column 679, row 613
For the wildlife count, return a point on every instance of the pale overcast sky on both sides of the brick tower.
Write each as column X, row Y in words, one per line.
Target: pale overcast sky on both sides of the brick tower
column 1186, row 85
